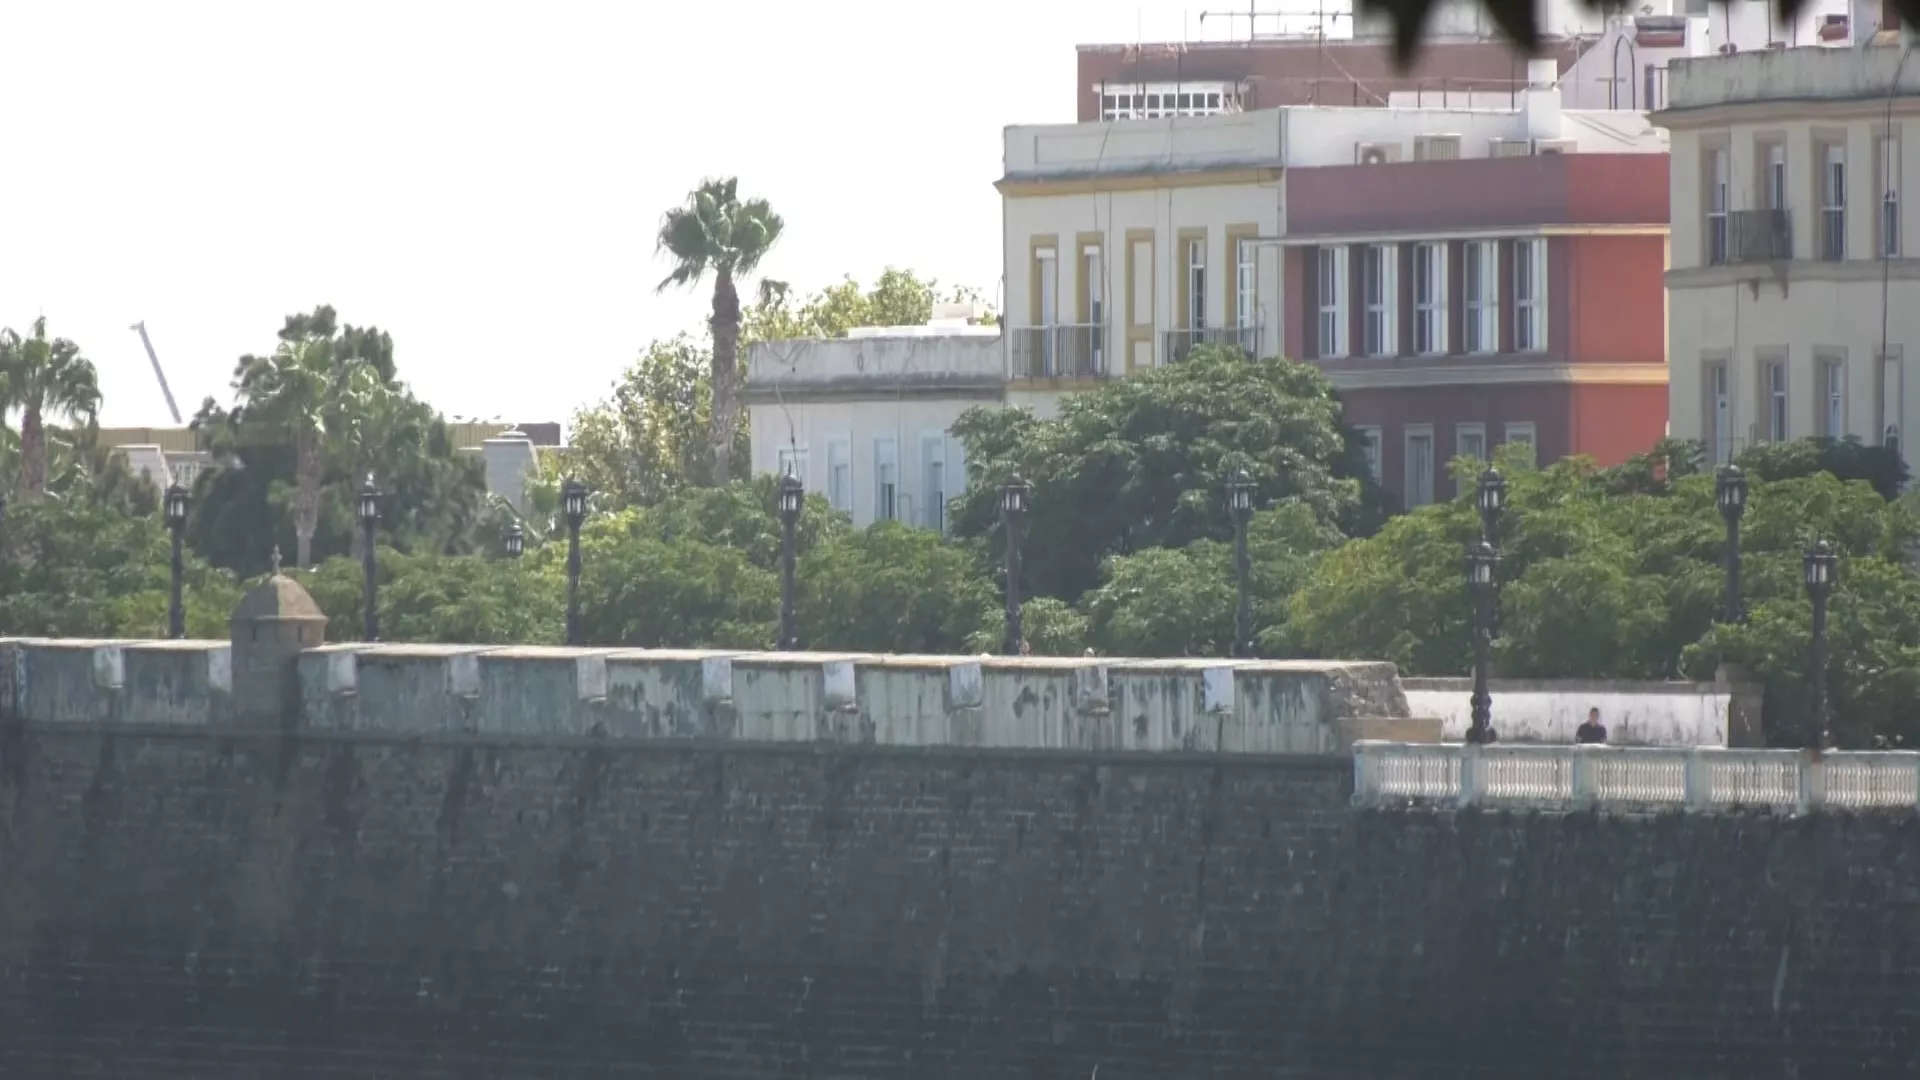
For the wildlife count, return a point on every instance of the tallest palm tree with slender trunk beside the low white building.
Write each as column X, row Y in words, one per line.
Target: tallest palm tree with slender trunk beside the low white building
column 717, row 232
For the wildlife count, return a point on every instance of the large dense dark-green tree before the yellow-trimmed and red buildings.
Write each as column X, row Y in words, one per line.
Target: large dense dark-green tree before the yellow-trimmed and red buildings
column 1143, row 464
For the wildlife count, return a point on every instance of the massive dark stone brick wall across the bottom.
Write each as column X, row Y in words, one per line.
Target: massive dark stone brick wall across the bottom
column 247, row 908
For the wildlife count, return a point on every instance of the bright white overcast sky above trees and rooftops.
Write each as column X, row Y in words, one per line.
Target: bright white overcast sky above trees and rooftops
column 483, row 180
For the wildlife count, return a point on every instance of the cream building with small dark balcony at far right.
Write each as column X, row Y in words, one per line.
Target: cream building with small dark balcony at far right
column 1794, row 283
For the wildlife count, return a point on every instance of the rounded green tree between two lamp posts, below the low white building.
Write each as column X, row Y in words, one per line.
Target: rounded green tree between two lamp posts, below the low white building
column 892, row 589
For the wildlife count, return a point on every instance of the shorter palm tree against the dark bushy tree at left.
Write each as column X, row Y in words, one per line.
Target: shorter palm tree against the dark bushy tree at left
column 306, row 389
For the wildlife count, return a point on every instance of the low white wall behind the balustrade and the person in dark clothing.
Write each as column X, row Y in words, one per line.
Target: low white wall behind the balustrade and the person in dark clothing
column 1637, row 714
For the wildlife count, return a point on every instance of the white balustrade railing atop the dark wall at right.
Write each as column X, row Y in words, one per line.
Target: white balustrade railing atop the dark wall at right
column 1635, row 777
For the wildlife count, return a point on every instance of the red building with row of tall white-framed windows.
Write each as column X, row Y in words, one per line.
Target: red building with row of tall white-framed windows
column 1464, row 305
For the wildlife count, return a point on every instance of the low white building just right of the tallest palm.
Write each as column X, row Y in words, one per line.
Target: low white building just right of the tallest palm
column 867, row 420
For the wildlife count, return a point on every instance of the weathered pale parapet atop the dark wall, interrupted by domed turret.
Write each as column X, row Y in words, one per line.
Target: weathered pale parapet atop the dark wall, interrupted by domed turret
column 732, row 697
